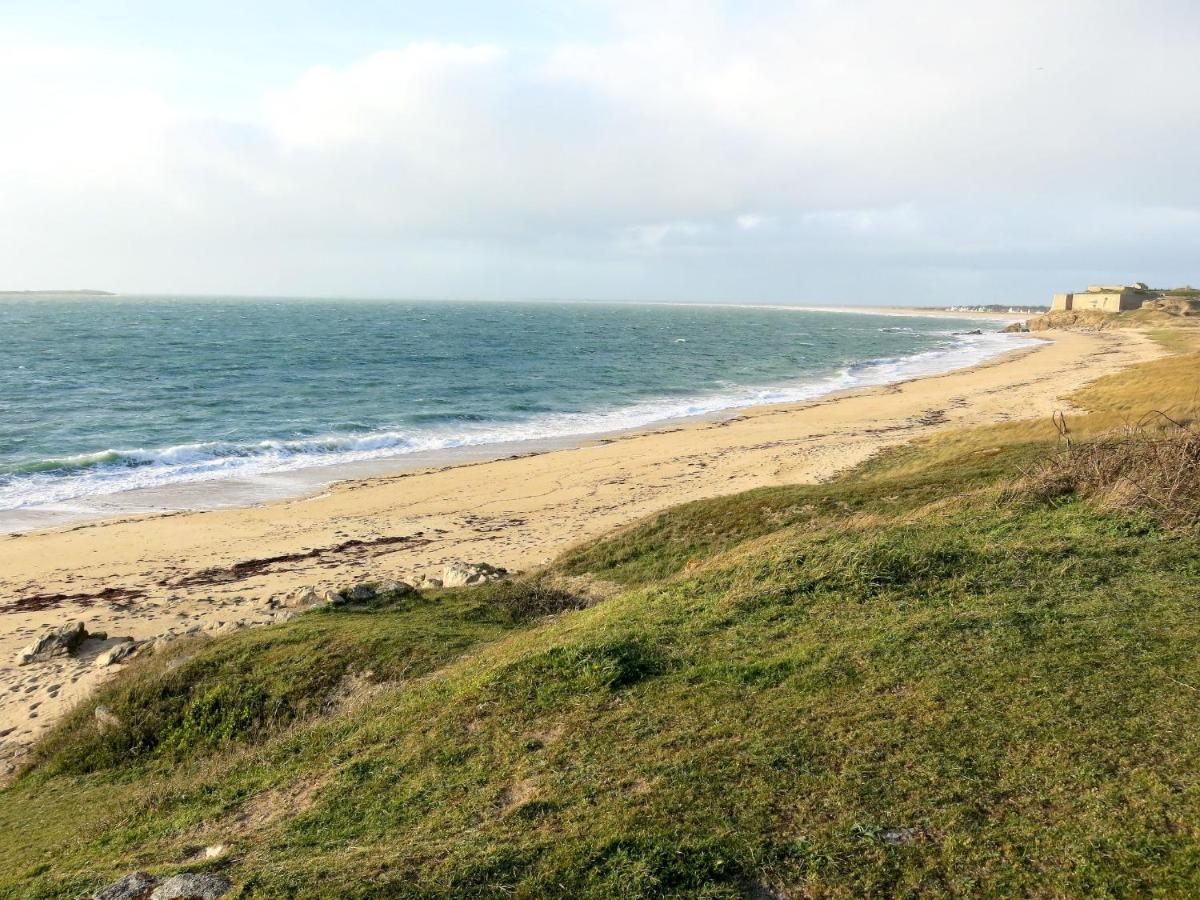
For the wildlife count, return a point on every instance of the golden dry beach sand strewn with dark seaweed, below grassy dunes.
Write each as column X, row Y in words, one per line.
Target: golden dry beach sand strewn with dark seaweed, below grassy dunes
column 142, row 577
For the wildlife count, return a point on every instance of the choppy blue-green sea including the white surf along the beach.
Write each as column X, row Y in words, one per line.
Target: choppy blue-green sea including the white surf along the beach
column 103, row 397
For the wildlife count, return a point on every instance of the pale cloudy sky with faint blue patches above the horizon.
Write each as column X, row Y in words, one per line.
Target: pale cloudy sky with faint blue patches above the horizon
column 813, row 152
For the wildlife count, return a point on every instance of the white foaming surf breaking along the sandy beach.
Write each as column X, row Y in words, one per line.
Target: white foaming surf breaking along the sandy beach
column 75, row 479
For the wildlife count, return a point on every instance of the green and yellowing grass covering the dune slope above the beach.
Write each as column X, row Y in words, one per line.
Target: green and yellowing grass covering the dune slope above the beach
column 908, row 682
